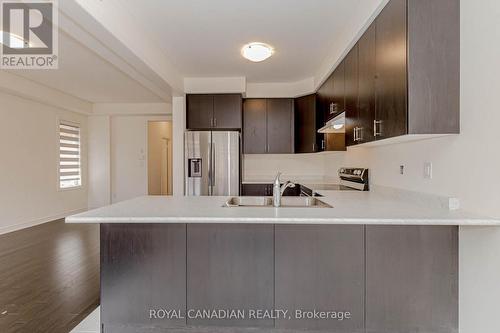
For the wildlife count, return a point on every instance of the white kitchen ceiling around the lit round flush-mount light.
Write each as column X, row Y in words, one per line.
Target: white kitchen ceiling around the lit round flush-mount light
column 203, row 38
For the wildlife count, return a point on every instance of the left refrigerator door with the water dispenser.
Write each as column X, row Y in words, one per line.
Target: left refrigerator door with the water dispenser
column 197, row 145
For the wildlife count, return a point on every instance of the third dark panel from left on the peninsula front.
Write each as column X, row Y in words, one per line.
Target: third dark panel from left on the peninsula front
column 320, row 268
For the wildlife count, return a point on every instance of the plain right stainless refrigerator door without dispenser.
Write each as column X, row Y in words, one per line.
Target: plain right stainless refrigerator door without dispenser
column 225, row 166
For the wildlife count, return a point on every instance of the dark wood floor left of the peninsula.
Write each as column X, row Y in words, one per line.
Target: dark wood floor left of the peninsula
column 49, row 277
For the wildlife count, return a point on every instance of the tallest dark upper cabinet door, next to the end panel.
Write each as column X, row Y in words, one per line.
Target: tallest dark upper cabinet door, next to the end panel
column 391, row 83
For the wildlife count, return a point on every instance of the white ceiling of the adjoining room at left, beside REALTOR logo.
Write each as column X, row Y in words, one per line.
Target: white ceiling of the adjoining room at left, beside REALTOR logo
column 85, row 75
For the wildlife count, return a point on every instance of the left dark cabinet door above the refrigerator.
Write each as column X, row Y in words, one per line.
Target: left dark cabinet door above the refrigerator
column 199, row 111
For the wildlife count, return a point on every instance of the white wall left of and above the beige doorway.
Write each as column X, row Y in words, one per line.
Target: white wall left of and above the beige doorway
column 129, row 169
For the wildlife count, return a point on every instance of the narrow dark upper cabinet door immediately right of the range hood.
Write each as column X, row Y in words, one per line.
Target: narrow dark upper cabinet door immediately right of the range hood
column 351, row 94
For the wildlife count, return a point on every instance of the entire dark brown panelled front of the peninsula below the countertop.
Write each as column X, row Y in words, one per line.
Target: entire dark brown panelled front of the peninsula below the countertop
column 391, row 279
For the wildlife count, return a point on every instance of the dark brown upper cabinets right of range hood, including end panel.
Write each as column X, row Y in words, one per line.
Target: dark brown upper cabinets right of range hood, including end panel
column 408, row 73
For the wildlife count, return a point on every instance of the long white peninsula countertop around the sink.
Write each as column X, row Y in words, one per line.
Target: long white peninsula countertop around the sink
column 349, row 207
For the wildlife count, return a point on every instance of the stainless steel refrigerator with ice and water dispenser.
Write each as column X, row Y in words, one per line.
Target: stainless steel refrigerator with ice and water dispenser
column 212, row 163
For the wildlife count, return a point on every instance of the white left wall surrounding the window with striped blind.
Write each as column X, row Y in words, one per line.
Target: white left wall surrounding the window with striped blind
column 29, row 189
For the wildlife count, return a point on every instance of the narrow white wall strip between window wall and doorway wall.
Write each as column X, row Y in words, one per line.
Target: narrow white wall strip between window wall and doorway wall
column 99, row 184
